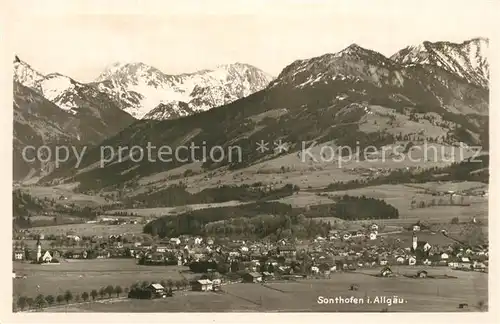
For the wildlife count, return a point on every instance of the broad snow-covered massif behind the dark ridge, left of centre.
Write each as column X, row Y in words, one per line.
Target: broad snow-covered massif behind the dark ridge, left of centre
column 142, row 88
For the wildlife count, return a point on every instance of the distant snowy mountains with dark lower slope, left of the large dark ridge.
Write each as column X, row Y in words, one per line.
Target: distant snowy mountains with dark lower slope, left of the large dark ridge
column 88, row 113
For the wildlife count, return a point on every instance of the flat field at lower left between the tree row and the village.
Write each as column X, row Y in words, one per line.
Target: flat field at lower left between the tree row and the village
column 79, row 276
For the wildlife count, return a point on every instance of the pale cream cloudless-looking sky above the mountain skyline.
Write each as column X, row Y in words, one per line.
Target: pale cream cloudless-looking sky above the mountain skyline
column 81, row 42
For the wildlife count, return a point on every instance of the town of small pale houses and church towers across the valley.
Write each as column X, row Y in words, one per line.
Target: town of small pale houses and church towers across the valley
column 339, row 251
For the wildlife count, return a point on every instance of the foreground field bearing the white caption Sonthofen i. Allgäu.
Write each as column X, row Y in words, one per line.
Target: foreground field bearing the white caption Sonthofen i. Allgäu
column 423, row 295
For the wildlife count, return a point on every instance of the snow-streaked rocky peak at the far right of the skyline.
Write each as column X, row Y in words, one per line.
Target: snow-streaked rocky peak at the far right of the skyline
column 468, row 60
